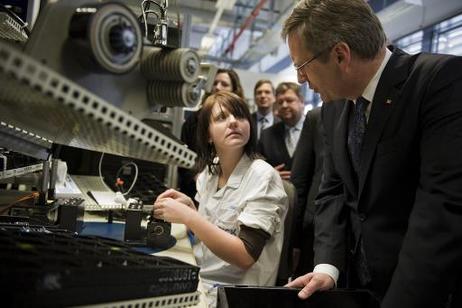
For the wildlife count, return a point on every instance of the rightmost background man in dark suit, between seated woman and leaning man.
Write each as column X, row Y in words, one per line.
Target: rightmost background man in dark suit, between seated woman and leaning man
column 277, row 143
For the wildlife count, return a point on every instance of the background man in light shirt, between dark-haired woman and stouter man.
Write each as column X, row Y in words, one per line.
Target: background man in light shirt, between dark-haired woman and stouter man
column 264, row 99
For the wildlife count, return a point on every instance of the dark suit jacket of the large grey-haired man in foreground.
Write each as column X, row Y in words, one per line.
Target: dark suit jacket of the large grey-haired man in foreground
column 407, row 201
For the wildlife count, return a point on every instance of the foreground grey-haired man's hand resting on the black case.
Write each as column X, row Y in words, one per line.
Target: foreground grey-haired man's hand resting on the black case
column 311, row 283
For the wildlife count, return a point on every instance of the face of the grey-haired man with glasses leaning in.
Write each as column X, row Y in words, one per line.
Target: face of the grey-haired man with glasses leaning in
column 323, row 78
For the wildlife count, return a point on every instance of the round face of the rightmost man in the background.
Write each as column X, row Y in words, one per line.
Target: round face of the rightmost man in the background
column 290, row 107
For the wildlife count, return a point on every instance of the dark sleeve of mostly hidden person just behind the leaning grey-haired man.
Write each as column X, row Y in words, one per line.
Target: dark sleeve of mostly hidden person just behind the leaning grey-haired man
column 303, row 169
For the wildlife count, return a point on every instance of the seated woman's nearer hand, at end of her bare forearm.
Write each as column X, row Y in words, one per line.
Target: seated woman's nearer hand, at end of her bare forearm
column 172, row 210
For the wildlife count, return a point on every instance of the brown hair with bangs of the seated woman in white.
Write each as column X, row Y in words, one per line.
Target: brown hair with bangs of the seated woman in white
column 234, row 105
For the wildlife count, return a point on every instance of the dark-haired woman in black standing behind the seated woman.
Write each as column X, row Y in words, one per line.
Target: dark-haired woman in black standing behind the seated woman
column 225, row 80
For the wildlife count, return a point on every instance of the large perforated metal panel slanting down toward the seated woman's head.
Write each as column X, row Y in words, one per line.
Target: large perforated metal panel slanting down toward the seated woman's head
column 47, row 104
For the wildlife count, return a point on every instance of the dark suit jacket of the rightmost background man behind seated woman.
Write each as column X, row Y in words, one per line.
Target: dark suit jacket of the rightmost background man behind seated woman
column 273, row 147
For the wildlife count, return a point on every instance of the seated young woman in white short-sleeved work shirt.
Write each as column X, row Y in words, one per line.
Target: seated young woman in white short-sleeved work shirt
column 240, row 222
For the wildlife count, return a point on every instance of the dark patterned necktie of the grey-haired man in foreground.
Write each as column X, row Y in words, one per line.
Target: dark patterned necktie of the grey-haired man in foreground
column 356, row 130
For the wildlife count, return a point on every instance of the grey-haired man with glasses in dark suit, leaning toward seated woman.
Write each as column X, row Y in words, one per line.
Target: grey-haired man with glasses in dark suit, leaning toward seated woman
column 390, row 202
